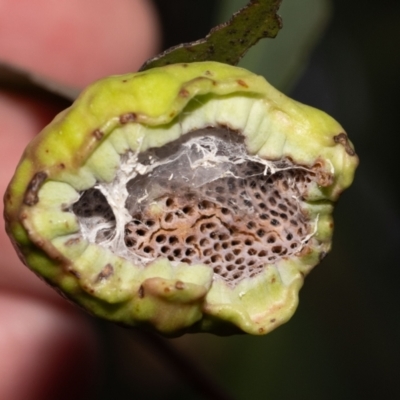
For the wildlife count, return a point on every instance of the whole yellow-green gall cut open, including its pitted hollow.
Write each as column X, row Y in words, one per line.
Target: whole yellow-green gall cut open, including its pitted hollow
column 187, row 198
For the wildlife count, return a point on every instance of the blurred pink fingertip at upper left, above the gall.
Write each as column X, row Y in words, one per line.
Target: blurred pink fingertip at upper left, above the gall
column 76, row 42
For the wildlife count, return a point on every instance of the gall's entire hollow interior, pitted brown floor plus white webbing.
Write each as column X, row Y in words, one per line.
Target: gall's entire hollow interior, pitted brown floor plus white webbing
column 203, row 200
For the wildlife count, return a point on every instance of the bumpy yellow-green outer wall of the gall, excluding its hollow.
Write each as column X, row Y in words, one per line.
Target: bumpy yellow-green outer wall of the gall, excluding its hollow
column 135, row 112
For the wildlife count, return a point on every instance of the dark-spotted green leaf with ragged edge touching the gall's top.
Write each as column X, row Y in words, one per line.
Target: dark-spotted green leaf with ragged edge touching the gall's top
column 228, row 42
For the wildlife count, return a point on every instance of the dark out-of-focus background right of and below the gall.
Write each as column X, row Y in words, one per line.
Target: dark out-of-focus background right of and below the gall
column 343, row 342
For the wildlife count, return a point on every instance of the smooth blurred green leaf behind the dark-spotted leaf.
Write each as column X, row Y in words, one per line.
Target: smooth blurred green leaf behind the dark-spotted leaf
column 282, row 60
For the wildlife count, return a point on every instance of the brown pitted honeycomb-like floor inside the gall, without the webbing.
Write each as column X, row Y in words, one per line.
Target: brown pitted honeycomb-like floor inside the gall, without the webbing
column 235, row 225
